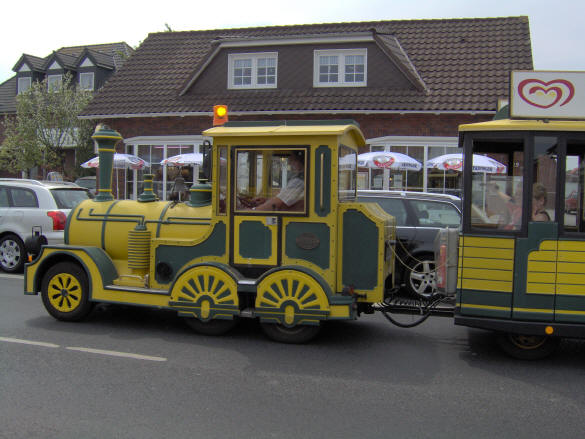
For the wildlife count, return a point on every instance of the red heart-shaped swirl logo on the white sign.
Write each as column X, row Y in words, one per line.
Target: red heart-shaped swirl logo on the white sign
column 543, row 94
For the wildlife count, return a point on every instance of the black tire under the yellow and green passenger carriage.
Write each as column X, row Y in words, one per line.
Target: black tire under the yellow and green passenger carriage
column 527, row 347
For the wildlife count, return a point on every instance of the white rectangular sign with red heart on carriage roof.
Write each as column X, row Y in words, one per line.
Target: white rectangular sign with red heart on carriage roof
column 547, row 95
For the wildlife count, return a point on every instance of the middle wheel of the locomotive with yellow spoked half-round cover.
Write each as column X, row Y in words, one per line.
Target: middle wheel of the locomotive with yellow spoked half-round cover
column 208, row 297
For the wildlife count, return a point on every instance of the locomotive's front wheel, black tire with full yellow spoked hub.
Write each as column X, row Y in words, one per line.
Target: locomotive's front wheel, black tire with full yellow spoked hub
column 65, row 292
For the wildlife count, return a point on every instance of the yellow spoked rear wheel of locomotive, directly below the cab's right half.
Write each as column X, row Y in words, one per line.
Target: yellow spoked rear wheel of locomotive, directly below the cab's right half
column 291, row 305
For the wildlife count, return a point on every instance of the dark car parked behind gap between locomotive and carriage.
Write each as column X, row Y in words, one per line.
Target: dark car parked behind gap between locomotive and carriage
column 419, row 216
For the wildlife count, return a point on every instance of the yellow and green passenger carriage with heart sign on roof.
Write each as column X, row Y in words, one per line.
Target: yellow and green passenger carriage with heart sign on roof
column 521, row 260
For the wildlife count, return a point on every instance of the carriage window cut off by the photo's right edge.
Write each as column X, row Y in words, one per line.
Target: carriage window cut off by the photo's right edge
column 574, row 219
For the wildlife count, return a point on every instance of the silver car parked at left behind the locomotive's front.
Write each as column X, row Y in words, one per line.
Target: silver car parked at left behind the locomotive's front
column 27, row 205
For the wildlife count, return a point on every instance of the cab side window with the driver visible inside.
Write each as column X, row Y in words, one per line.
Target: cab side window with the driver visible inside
column 271, row 180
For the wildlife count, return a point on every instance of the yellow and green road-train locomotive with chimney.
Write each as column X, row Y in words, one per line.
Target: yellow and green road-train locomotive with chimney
column 276, row 235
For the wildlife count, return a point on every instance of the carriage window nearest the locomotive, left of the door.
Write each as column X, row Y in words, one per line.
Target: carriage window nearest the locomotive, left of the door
column 497, row 184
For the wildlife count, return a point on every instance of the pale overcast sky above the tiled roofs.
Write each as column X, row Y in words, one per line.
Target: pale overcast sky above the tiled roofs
column 40, row 27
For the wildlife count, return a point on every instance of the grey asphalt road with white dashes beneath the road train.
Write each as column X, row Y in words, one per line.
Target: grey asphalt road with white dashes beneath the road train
column 141, row 373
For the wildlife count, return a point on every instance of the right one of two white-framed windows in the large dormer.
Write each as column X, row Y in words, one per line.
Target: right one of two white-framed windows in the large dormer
column 340, row 68
